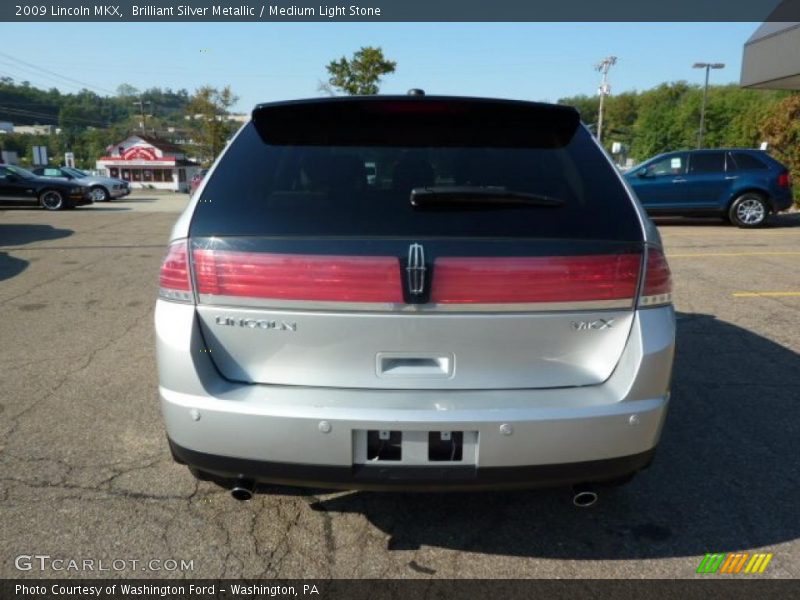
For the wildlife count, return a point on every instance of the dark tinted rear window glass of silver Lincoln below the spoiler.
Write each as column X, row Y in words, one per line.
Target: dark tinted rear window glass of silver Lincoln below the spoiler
column 319, row 188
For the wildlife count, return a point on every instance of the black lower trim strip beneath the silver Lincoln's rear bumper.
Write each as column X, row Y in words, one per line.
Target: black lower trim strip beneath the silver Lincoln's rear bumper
column 414, row 478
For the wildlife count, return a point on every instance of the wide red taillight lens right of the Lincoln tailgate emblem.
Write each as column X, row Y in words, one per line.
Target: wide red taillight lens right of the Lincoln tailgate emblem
column 535, row 279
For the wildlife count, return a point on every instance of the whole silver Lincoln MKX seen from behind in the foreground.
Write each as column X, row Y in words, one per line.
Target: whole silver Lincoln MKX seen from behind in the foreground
column 495, row 312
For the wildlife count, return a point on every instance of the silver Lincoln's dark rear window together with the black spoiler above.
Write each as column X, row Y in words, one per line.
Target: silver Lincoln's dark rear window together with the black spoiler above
column 353, row 178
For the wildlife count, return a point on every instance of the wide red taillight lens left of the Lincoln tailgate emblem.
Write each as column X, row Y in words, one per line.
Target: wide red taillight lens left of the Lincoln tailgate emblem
column 298, row 277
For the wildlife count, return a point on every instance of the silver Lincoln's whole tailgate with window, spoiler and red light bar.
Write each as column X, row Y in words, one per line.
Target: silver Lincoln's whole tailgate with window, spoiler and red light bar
column 307, row 272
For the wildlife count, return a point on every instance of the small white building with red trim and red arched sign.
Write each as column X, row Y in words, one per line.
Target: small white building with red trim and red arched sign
column 149, row 163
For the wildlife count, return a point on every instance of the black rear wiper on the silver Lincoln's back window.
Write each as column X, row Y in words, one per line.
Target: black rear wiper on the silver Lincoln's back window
column 477, row 196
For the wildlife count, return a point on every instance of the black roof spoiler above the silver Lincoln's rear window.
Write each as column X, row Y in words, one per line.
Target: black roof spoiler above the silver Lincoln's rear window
column 416, row 121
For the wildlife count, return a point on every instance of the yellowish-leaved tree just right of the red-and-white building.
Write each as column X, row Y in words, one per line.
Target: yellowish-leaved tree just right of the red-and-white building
column 210, row 107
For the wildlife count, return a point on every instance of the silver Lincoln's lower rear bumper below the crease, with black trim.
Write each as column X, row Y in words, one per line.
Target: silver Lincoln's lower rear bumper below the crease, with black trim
column 305, row 446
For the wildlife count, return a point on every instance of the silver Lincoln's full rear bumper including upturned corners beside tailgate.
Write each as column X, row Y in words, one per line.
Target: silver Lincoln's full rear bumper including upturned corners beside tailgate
column 308, row 434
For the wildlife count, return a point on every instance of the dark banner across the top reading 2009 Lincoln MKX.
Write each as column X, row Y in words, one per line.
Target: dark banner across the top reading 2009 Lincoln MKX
column 403, row 10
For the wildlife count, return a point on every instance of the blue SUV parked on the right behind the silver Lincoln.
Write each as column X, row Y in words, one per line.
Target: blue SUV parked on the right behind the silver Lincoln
column 741, row 185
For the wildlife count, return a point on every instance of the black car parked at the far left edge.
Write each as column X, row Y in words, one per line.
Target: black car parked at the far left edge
column 18, row 186
